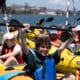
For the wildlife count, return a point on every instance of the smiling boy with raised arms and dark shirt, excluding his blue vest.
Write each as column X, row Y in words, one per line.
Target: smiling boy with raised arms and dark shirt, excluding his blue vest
column 42, row 46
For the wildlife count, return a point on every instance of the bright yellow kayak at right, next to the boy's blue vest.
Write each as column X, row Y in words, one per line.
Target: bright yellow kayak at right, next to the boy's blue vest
column 68, row 62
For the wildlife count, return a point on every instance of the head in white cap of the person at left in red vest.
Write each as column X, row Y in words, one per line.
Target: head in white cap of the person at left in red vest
column 8, row 39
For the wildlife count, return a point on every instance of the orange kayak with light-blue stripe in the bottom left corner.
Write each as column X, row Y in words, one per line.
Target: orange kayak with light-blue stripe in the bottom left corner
column 14, row 75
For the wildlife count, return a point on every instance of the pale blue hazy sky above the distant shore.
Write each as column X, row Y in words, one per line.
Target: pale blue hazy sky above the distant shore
column 50, row 4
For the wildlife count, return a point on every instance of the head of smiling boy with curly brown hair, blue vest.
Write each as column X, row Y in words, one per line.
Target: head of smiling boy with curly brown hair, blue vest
column 43, row 44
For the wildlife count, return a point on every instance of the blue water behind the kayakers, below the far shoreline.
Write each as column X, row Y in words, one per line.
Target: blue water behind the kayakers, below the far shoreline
column 34, row 19
